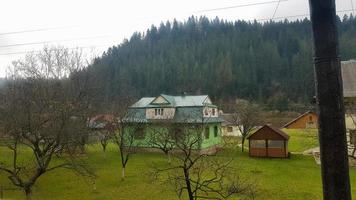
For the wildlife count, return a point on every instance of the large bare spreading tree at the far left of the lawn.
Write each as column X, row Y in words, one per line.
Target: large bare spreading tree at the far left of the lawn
column 43, row 110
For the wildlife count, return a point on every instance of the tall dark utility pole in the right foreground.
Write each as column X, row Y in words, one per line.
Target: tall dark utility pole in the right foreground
column 332, row 130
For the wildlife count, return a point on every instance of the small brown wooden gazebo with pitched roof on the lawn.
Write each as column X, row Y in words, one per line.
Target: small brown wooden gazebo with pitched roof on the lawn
column 268, row 141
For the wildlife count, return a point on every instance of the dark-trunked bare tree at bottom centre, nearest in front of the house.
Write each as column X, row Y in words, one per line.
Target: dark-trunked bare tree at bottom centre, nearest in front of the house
column 198, row 175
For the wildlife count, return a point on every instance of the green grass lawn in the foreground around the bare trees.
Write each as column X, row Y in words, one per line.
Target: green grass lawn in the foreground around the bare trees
column 294, row 178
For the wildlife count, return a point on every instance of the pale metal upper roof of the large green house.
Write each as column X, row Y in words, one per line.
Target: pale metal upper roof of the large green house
column 175, row 101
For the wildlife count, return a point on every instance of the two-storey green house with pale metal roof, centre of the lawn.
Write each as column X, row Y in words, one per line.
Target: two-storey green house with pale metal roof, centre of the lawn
column 152, row 119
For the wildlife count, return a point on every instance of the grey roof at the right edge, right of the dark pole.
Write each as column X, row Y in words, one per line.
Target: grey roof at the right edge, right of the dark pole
column 348, row 71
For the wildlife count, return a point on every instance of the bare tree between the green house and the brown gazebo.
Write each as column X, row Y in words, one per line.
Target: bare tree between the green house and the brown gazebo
column 246, row 116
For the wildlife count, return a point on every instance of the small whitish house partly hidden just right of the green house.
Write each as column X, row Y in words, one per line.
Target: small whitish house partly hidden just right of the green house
column 229, row 125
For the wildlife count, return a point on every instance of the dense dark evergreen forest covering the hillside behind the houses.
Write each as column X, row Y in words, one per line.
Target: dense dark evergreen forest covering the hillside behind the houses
column 270, row 63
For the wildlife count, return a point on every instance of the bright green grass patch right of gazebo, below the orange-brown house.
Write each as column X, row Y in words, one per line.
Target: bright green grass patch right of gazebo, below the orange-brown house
column 301, row 139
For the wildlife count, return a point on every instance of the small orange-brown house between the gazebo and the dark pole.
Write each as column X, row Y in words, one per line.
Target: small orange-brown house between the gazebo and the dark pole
column 306, row 120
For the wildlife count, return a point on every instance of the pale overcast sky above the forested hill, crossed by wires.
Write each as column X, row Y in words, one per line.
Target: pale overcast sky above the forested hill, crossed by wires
column 98, row 24
